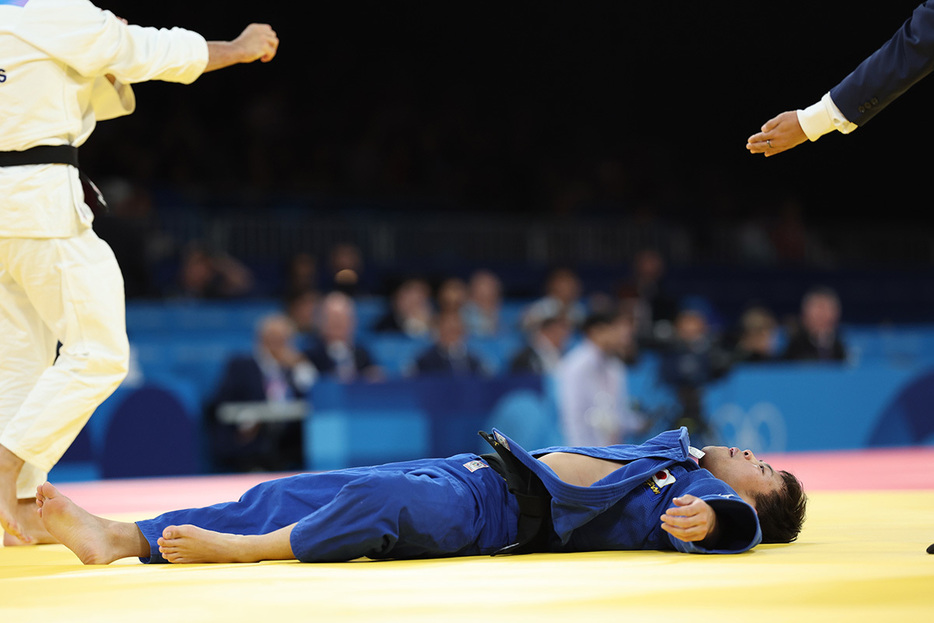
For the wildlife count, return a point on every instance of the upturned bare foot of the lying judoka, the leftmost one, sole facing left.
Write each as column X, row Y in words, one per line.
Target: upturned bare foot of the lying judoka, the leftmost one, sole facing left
column 95, row 540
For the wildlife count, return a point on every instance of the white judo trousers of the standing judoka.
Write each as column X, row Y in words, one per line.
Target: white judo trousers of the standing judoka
column 51, row 290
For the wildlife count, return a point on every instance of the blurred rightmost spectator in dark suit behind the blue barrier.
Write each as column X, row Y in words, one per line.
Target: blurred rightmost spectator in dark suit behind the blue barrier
column 817, row 337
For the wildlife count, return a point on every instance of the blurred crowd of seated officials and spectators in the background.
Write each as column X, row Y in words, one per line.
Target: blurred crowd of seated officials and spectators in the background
column 586, row 341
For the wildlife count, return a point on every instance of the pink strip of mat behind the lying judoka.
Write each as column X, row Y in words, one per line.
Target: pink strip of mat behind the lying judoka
column 883, row 469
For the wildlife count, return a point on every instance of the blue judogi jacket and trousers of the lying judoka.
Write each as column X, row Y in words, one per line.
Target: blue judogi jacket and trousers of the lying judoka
column 458, row 506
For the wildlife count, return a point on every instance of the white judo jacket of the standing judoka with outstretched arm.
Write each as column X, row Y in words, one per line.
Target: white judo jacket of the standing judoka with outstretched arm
column 55, row 56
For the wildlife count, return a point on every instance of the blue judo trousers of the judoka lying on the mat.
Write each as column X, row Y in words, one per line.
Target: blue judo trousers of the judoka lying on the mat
column 417, row 509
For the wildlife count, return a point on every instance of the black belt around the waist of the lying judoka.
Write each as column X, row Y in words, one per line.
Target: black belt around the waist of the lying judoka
column 535, row 530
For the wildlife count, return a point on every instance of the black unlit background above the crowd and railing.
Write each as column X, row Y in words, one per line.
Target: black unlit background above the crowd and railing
column 526, row 107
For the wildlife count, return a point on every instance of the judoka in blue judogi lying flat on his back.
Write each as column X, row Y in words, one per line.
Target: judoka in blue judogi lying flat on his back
column 662, row 495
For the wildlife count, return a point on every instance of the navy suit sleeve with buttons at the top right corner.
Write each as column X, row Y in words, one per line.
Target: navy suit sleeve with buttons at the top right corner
column 891, row 70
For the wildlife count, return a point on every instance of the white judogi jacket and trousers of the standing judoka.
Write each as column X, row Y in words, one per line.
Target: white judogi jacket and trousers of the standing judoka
column 58, row 280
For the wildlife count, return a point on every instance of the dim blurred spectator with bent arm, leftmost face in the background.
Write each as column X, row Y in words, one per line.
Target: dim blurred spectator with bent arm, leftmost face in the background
column 204, row 274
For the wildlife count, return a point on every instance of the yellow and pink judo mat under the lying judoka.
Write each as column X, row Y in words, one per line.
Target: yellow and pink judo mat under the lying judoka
column 861, row 557
